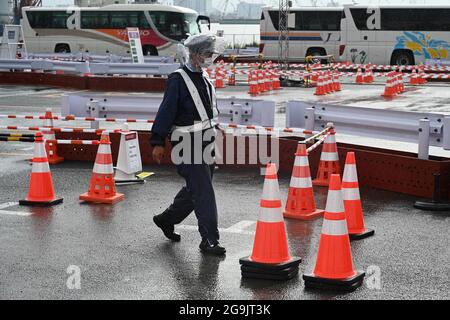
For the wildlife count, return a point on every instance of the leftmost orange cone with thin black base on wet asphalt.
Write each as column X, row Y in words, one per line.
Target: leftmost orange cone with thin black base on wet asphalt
column 41, row 192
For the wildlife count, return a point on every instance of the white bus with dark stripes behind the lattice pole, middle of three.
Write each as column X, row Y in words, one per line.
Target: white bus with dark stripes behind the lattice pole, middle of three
column 313, row 31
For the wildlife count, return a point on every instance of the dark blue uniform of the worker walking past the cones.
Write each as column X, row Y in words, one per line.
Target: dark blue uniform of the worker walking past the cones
column 178, row 108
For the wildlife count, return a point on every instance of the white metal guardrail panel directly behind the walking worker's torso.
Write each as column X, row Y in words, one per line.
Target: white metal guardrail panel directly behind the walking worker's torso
column 232, row 110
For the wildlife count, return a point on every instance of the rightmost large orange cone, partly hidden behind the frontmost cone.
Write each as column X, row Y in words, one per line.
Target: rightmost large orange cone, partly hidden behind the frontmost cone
column 352, row 201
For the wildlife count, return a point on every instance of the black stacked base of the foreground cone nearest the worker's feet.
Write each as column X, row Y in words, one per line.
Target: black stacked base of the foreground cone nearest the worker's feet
column 280, row 271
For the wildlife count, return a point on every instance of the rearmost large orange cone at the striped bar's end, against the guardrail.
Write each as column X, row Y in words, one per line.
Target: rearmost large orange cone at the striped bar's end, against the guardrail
column 329, row 161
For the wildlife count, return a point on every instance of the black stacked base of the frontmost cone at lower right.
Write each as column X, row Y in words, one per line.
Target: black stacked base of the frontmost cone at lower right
column 350, row 284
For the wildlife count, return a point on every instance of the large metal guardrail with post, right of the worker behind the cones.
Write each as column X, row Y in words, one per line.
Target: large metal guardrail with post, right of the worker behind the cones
column 425, row 129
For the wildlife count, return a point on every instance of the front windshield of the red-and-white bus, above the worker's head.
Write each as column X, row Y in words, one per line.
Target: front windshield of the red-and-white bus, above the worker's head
column 174, row 25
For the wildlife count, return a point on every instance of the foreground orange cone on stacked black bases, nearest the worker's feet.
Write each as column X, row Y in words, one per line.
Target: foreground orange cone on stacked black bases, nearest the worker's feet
column 270, row 257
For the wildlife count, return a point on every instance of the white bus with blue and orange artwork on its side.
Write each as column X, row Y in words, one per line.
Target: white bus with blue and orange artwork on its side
column 398, row 35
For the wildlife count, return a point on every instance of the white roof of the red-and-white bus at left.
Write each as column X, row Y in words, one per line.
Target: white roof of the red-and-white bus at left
column 121, row 7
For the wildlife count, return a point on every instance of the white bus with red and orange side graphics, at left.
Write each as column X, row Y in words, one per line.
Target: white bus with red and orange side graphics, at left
column 102, row 30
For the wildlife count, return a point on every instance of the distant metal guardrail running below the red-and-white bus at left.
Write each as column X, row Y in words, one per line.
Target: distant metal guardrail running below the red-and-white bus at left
column 154, row 68
